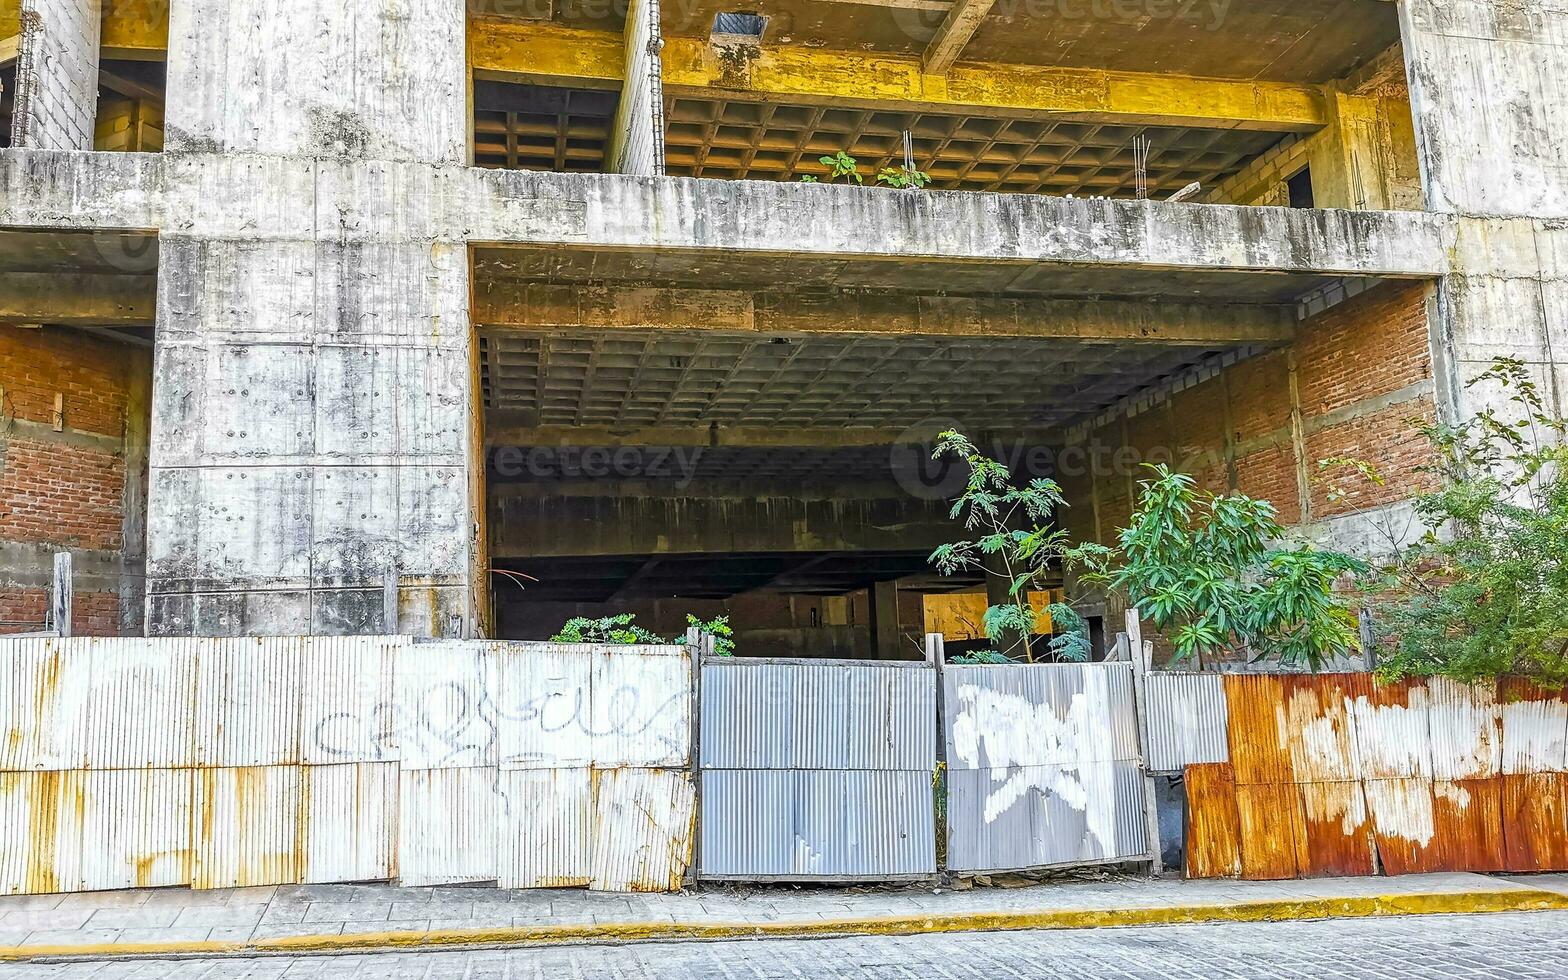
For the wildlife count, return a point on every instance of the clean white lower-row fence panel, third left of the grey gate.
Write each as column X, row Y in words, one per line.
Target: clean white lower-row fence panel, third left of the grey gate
column 448, row 826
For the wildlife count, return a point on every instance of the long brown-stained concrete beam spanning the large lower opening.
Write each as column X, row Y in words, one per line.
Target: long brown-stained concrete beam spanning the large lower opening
column 543, row 307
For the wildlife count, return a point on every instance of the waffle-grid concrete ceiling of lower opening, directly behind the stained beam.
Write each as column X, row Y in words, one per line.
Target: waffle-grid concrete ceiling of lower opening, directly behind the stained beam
column 692, row 379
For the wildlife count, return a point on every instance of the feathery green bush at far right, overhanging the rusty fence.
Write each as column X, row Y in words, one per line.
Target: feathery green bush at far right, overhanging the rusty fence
column 1484, row 592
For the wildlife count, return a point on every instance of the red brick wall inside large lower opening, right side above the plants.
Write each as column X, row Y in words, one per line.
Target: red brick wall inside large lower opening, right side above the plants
column 1354, row 369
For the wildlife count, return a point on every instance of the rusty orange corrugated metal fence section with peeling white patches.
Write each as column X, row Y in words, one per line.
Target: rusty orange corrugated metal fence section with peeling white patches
column 1338, row 775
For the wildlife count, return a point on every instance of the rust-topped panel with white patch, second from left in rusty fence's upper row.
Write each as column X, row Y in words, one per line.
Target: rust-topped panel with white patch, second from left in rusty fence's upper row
column 1318, row 725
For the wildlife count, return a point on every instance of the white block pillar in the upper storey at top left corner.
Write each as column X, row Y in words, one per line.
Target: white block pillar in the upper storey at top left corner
column 57, row 74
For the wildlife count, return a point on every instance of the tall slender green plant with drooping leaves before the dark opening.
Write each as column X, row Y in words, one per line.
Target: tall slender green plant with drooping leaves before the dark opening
column 1014, row 540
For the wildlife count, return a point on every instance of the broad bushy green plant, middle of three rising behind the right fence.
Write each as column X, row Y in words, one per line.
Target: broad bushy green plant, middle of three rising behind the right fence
column 1208, row 573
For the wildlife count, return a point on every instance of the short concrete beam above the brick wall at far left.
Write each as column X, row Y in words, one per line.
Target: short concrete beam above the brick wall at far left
column 74, row 300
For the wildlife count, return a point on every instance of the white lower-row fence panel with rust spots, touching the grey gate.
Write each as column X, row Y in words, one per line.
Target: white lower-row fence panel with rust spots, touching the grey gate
column 642, row 830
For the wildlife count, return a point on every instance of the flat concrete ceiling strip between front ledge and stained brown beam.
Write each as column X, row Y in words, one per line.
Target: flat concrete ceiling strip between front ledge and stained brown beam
column 720, row 270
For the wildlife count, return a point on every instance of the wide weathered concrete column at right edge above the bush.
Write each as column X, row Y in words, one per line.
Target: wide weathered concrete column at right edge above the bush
column 1489, row 82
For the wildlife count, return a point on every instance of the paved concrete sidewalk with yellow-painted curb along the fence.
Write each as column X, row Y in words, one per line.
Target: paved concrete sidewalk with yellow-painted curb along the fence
column 321, row 918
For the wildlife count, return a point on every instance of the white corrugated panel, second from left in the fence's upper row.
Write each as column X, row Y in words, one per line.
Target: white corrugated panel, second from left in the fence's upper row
column 143, row 703
